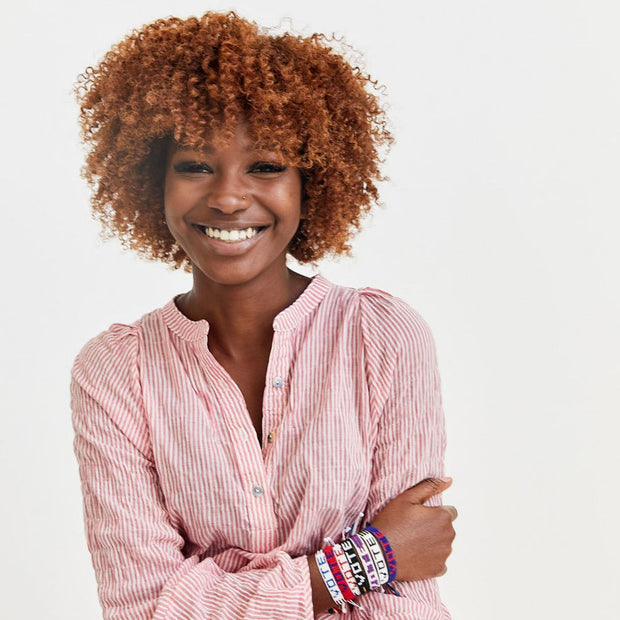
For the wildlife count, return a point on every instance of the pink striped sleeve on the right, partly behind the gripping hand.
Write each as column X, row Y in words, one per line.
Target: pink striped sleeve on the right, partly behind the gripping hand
column 405, row 390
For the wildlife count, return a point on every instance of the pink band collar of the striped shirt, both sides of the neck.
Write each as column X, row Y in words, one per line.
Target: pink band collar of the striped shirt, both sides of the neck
column 285, row 320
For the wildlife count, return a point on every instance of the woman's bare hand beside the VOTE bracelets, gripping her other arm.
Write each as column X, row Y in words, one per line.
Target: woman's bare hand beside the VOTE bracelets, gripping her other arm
column 420, row 536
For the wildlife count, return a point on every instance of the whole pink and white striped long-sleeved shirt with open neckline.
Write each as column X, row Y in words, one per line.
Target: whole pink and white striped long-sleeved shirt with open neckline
column 187, row 517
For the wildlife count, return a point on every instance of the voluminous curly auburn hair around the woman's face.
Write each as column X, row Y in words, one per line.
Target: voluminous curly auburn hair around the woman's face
column 177, row 80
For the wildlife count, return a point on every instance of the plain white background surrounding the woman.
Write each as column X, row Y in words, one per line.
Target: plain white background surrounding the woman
column 500, row 227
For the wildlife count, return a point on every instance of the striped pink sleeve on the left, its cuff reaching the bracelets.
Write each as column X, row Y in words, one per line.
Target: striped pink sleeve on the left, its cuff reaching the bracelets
column 141, row 564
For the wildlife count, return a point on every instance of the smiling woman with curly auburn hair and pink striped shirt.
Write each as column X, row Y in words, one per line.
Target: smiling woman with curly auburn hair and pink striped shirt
column 223, row 438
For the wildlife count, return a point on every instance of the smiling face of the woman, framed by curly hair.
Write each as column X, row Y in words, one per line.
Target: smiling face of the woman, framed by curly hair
column 233, row 210
